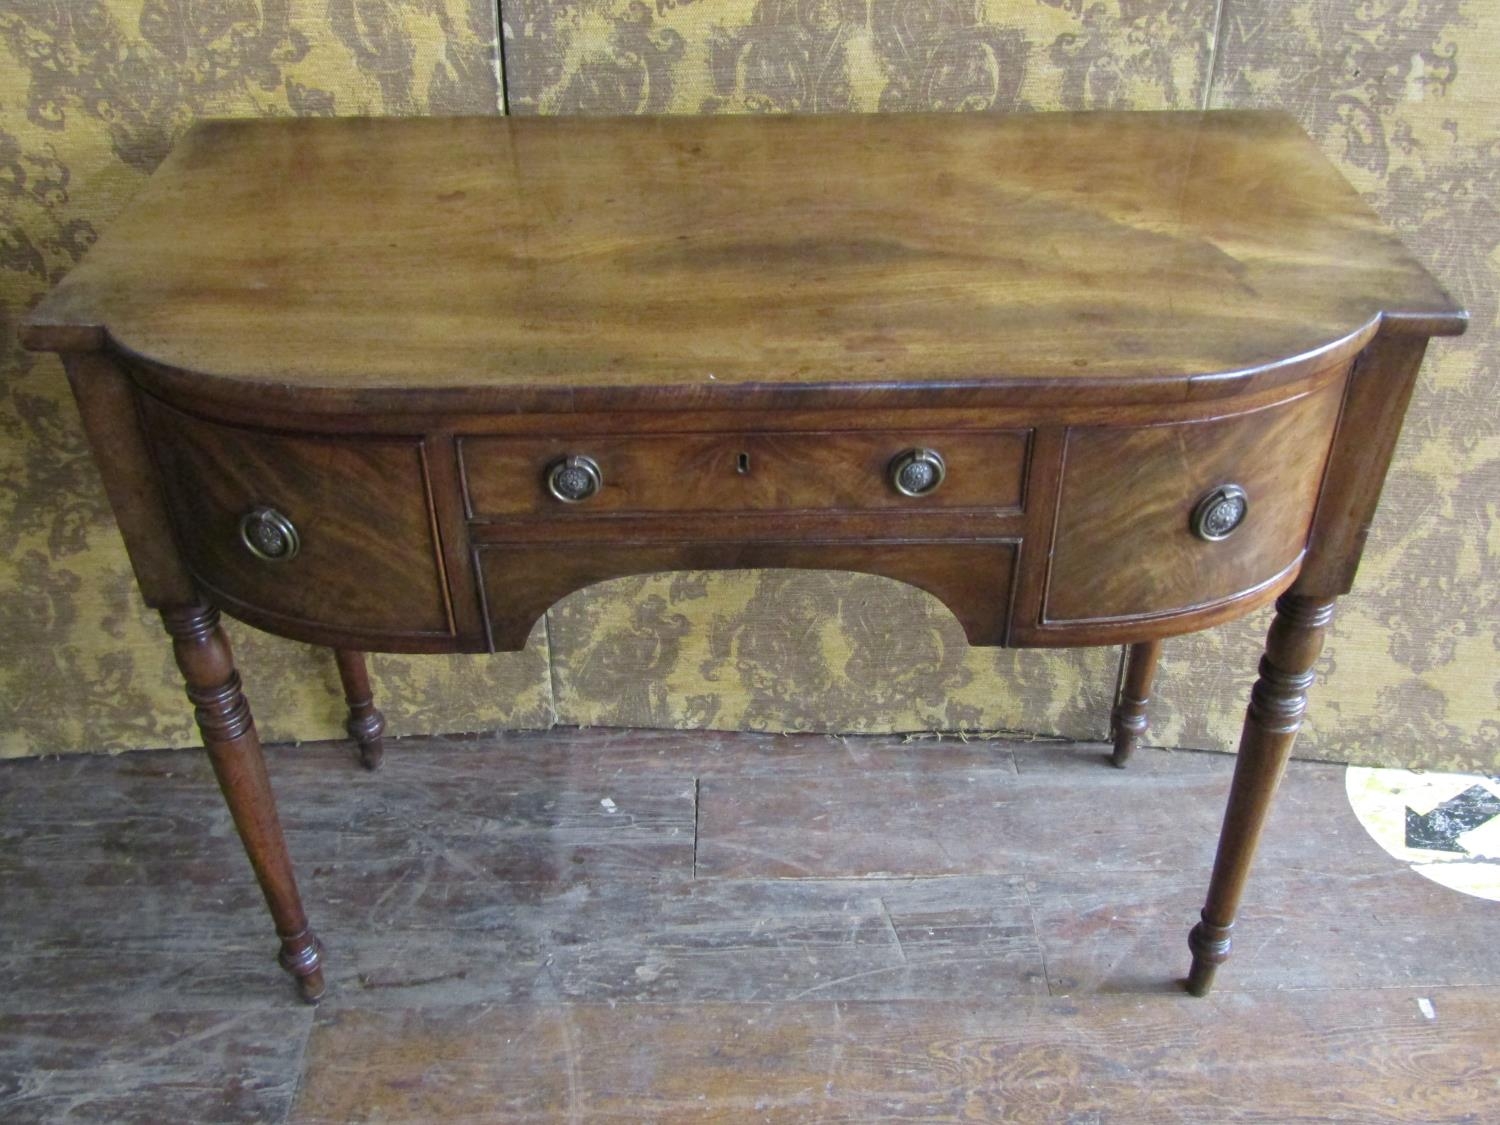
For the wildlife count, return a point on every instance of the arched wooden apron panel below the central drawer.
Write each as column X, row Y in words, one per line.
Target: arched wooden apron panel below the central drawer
column 973, row 578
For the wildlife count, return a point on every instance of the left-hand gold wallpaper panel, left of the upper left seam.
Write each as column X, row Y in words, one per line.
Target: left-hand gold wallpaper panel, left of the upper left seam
column 92, row 97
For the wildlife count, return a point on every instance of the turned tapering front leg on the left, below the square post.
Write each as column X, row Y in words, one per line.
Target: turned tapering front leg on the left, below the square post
column 229, row 733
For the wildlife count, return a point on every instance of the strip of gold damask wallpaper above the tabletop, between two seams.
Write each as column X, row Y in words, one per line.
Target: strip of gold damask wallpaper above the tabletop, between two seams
column 838, row 56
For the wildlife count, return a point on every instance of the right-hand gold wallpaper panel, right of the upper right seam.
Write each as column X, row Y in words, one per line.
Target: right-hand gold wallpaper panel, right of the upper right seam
column 1385, row 88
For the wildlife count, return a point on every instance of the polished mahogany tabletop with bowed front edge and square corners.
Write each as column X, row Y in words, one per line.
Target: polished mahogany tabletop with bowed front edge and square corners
column 704, row 257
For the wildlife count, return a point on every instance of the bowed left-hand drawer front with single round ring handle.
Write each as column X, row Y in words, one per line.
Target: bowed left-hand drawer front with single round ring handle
column 341, row 535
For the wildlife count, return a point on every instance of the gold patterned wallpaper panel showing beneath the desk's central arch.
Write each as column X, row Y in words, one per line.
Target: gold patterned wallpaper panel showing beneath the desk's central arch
column 806, row 652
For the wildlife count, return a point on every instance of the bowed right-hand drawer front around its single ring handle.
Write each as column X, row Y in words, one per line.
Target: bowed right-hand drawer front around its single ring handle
column 1126, row 542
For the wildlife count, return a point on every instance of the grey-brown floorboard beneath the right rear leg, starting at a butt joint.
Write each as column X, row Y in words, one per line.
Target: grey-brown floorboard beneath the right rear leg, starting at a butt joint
column 1060, row 814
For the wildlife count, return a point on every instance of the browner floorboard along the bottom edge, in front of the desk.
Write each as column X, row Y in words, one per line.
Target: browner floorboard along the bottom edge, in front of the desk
column 1355, row 1057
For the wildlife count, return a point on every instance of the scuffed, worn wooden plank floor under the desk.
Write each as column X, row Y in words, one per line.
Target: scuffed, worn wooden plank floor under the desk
column 655, row 926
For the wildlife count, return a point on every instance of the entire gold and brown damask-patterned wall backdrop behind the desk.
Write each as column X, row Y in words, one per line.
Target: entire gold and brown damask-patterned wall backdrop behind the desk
column 1403, row 94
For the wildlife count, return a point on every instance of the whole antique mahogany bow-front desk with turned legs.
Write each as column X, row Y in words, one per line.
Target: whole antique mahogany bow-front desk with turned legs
column 401, row 385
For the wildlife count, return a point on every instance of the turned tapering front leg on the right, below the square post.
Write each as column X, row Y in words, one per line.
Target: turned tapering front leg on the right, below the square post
column 1276, row 710
